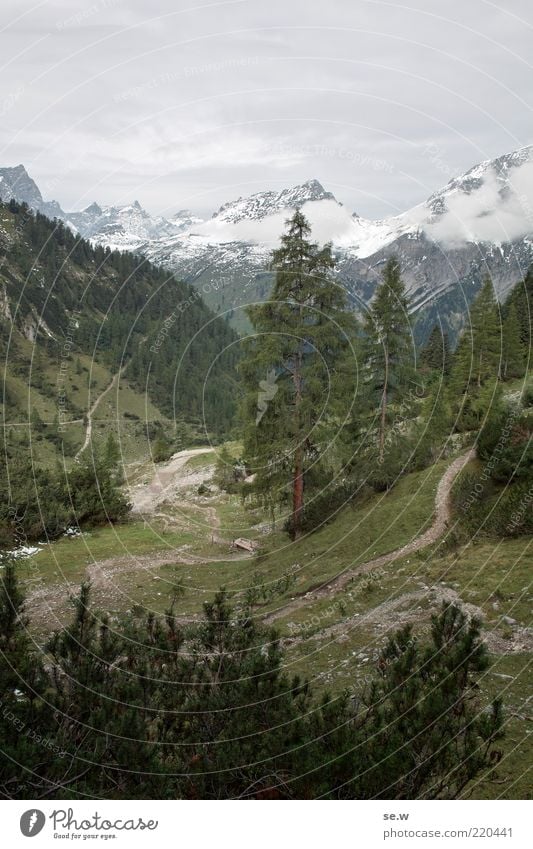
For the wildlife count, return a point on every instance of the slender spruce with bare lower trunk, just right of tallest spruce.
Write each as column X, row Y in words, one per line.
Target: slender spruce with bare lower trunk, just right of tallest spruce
column 388, row 346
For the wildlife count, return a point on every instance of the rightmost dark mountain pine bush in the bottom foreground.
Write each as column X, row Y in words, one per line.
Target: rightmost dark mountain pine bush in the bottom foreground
column 427, row 736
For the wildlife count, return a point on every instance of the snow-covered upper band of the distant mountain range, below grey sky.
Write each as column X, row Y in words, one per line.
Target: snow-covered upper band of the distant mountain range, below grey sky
column 490, row 203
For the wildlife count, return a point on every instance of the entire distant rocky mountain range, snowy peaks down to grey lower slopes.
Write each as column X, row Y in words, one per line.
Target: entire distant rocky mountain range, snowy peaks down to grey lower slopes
column 480, row 223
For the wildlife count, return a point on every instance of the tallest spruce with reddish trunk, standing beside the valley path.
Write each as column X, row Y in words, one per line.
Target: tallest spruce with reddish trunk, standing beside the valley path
column 295, row 371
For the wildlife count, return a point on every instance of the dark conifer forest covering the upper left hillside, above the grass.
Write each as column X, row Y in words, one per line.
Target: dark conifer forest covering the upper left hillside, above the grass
column 70, row 298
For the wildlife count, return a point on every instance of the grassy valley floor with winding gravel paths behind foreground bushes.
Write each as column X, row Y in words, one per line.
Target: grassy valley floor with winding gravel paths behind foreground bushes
column 333, row 595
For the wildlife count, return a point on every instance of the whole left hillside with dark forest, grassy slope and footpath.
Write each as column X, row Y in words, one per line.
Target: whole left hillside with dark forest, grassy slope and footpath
column 87, row 333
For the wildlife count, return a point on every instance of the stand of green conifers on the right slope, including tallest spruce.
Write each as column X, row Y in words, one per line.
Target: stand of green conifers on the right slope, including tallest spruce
column 352, row 405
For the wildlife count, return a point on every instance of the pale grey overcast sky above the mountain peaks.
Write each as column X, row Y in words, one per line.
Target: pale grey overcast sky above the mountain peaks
column 185, row 103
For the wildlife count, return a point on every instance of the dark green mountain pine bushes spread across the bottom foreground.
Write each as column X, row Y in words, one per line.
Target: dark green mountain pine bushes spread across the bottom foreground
column 147, row 709
